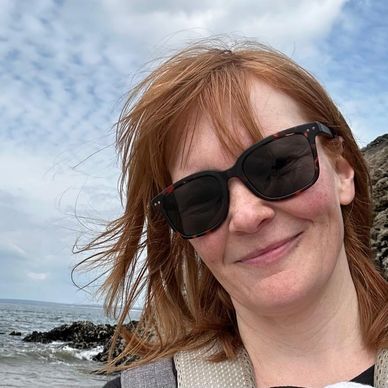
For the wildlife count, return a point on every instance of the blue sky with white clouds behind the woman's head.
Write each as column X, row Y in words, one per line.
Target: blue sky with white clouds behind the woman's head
column 65, row 67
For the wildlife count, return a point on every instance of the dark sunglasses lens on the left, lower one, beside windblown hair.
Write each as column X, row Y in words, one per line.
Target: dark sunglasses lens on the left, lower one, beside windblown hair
column 196, row 206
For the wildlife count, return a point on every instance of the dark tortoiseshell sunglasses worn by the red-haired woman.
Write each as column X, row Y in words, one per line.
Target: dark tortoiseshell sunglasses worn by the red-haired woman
column 277, row 167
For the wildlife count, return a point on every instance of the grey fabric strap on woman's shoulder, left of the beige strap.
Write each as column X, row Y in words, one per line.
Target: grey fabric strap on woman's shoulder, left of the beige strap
column 158, row 374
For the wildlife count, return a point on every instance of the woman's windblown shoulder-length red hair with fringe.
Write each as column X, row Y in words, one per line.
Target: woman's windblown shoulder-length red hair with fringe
column 185, row 307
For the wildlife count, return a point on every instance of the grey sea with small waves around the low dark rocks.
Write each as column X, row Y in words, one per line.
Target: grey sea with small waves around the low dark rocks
column 27, row 364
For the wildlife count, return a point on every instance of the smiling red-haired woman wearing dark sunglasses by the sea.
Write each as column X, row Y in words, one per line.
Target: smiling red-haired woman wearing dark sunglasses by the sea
column 246, row 226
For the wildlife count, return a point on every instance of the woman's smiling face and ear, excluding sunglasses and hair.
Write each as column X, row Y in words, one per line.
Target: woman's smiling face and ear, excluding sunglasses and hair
column 273, row 257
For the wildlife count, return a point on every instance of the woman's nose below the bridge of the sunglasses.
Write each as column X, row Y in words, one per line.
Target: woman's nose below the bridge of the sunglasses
column 247, row 213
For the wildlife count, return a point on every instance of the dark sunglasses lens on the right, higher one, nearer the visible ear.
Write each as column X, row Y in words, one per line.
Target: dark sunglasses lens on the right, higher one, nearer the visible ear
column 282, row 167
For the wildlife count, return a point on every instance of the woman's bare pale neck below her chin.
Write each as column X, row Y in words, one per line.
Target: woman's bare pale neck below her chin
column 318, row 343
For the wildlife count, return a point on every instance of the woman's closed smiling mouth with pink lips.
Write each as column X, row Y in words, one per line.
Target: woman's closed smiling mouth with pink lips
column 271, row 253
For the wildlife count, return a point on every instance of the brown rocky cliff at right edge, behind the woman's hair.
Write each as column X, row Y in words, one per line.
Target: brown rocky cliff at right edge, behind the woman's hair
column 376, row 155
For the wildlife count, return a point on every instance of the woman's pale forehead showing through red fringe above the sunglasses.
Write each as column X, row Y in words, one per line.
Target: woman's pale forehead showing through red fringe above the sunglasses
column 204, row 146
